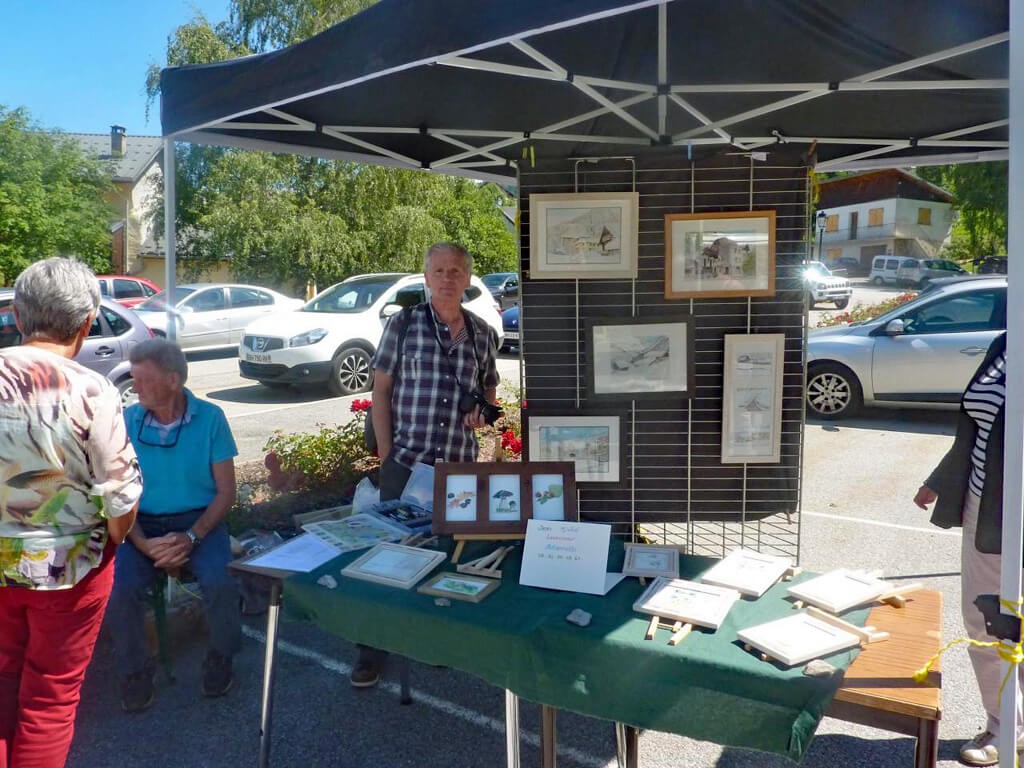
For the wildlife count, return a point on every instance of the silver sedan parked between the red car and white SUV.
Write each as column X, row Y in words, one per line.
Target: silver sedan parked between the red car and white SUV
column 211, row 316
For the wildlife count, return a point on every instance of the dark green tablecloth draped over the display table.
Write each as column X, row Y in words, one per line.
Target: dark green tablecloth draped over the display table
column 707, row 688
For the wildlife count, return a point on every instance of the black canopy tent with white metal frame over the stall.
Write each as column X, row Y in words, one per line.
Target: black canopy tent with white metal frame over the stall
column 475, row 88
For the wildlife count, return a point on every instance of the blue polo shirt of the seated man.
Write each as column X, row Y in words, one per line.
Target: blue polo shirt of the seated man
column 179, row 477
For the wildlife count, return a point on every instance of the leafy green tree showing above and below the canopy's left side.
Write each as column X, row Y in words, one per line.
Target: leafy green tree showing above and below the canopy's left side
column 282, row 219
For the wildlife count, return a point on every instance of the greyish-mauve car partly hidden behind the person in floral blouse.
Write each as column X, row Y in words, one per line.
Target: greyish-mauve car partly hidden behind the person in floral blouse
column 115, row 331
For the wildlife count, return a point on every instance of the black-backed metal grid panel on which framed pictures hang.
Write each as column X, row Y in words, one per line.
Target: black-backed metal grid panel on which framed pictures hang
column 679, row 492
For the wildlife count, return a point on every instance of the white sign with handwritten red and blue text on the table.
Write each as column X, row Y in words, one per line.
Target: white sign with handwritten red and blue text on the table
column 569, row 557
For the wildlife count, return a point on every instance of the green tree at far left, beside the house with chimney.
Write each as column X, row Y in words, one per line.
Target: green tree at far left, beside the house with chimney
column 52, row 198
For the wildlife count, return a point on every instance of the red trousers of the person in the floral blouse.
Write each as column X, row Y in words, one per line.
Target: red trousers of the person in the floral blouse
column 47, row 642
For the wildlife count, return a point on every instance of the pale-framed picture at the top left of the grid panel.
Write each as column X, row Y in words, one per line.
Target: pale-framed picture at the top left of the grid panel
column 584, row 236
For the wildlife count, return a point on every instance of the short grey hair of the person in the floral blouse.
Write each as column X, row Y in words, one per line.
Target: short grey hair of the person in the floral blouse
column 55, row 298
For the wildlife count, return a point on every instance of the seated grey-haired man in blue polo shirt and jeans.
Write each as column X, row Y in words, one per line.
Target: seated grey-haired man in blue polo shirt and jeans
column 187, row 454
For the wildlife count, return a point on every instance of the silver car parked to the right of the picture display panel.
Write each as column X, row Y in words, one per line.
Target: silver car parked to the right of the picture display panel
column 921, row 355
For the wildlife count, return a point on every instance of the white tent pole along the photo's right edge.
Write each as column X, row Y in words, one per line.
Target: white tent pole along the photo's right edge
column 1013, row 479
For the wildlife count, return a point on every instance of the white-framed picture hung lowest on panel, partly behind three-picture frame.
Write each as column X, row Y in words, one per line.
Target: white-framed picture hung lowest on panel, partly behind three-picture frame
column 592, row 439
